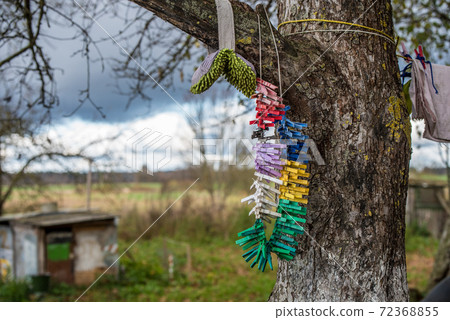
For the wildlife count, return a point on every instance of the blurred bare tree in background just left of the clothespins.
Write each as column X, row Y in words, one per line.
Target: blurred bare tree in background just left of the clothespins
column 214, row 120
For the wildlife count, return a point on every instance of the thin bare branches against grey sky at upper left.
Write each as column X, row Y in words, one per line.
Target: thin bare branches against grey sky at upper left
column 152, row 52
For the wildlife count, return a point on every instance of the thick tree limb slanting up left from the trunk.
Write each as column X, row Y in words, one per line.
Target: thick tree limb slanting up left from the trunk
column 199, row 19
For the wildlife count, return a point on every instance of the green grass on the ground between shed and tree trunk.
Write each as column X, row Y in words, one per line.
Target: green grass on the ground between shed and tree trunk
column 219, row 273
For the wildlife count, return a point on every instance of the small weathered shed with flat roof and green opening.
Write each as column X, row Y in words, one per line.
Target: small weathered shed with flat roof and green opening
column 72, row 246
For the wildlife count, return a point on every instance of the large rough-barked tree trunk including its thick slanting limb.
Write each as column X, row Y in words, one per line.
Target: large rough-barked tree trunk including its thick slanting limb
column 350, row 95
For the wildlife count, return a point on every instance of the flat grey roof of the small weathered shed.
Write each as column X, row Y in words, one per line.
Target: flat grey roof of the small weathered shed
column 49, row 219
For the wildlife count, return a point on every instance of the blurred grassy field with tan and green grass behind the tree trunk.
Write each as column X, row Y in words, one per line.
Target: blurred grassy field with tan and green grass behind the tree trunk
column 189, row 254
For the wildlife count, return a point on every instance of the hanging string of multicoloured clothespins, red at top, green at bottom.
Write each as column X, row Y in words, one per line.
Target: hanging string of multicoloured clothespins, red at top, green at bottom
column 281, row 184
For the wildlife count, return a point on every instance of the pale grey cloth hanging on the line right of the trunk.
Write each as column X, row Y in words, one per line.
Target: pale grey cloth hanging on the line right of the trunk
column 429, row 105
